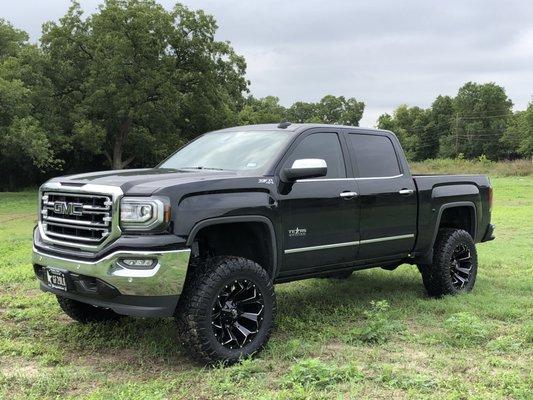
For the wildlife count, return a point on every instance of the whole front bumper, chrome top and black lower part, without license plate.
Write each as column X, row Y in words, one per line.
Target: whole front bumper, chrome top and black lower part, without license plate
column 108, row 282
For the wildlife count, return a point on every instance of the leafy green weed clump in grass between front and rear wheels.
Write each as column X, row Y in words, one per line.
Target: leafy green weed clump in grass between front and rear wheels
column 378, row 325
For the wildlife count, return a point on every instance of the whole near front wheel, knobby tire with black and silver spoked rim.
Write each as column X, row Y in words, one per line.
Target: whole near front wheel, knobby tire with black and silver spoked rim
column 226, row 312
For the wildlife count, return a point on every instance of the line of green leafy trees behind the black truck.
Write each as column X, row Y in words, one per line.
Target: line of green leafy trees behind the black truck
column 127, row 85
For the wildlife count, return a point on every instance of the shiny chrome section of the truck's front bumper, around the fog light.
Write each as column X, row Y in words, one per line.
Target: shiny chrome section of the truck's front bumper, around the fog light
column 166, row 277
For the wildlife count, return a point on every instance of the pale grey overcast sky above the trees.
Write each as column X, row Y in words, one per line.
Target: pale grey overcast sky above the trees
column 384, row 53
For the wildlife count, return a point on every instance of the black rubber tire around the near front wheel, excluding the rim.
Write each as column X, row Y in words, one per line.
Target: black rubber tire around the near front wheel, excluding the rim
column 197, row 302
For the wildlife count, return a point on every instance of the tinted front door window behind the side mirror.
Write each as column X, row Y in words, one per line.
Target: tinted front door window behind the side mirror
column 321, row 145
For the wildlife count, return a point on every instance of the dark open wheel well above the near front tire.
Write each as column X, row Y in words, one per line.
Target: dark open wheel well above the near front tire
column 251, row 240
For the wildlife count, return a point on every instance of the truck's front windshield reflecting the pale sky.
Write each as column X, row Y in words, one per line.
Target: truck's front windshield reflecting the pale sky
column 233, row 151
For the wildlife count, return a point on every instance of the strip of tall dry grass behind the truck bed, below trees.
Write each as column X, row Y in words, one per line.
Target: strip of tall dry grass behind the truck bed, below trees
column 478, row 166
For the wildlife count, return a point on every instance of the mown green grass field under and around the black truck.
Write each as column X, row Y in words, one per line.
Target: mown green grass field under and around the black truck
column 375, row 335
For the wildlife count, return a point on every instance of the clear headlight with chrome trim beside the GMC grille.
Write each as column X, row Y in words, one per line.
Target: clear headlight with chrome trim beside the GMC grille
column 144, row 213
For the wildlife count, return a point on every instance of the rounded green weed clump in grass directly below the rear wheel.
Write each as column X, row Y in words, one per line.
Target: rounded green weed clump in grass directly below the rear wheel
column 464, row 329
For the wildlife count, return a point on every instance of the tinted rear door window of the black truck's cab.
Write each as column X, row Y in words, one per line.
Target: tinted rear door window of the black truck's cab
column 374, row 156
